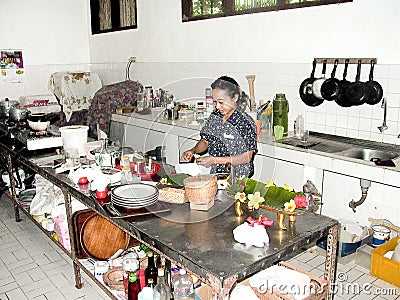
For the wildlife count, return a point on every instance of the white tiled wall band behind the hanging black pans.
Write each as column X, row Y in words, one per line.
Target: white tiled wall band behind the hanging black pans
column 271, row 78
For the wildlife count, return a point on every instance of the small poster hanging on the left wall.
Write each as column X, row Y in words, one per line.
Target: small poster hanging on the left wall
column 12, row 66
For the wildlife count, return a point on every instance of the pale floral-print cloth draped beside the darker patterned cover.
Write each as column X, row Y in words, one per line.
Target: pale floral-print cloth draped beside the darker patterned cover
column 74, row 90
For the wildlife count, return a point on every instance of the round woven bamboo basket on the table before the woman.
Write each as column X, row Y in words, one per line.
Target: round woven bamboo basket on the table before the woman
column 200, row 189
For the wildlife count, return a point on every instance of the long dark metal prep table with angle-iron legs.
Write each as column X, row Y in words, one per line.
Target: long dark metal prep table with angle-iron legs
column 205, row 248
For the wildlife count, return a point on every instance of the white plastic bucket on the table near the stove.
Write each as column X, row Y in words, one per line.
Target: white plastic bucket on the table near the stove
column 75, row 136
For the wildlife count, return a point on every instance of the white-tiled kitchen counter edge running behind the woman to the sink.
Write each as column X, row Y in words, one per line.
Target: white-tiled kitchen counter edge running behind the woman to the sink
column 268, row 147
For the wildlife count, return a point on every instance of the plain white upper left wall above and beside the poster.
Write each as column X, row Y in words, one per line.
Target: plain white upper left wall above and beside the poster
column 48, row 31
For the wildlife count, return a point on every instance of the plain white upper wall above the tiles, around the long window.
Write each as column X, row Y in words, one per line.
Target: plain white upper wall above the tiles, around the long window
column 362, row 28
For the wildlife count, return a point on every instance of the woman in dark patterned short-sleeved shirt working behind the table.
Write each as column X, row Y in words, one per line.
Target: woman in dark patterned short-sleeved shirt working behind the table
column 229, row 133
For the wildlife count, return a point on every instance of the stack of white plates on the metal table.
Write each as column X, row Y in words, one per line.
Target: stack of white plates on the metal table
column 134, row 195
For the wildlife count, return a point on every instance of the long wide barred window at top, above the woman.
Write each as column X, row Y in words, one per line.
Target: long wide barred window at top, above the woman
column 204, row 9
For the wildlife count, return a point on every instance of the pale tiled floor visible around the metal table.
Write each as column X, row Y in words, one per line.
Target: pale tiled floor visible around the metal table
column 33, row 268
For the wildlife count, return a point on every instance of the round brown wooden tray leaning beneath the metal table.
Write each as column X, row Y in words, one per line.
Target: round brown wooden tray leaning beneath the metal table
column 100, row 238
